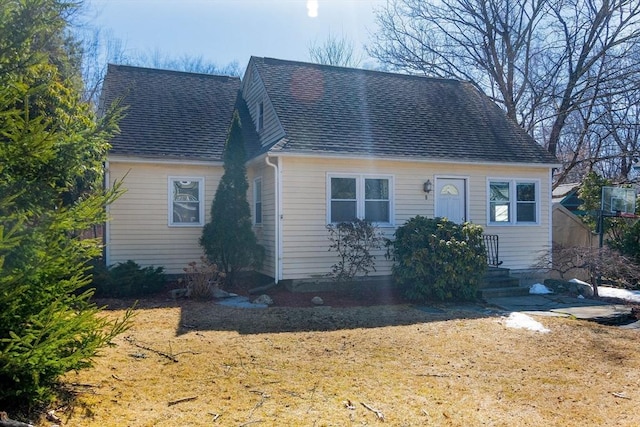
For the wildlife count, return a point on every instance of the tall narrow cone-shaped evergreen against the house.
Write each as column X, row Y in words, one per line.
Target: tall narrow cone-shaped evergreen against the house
column 228, row 240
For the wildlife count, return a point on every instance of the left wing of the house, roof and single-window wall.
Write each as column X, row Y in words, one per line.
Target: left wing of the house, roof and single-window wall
column 169, row 155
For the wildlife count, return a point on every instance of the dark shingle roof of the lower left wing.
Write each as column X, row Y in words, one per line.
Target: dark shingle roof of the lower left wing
column 173, row 115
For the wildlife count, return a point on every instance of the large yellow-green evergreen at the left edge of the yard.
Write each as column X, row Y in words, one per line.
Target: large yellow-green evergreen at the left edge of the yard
column 51, row 153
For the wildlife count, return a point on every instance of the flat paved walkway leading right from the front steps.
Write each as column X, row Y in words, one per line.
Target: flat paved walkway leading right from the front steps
column 558, row 305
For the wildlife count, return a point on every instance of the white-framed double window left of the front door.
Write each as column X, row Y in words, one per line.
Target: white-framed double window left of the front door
column 359, row 196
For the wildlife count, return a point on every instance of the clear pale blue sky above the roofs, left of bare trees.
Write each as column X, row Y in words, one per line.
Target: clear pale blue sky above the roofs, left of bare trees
column 222, row 31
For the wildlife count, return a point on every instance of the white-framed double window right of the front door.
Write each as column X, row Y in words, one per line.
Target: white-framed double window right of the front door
column 513, row 202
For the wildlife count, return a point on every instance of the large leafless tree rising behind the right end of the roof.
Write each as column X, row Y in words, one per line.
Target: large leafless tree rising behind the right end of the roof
column 551, row 64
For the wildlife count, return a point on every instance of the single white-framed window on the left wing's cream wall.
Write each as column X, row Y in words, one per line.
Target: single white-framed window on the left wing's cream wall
column 186, row 201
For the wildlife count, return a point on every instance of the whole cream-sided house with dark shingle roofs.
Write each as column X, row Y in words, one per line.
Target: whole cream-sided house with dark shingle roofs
column 327, row 144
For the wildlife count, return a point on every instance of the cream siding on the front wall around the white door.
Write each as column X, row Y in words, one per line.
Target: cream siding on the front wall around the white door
column 305, row 238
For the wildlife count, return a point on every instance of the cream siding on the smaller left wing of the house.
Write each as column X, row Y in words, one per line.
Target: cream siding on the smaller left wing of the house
column 139, row 228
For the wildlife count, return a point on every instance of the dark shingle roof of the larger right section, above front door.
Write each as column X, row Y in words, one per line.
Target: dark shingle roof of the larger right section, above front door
column 335, row 110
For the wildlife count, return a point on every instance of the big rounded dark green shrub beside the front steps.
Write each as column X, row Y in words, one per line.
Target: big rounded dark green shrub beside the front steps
column 438, row 259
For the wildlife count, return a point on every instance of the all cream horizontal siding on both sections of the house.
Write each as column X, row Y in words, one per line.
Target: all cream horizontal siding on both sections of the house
column 139, row 228
